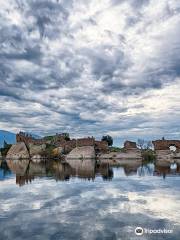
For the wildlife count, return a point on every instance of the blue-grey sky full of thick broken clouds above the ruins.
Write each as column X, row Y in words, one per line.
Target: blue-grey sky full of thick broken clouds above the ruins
column 90, row 67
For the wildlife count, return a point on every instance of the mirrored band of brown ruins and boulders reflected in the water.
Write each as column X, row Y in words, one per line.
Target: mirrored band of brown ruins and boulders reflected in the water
column 26, row 170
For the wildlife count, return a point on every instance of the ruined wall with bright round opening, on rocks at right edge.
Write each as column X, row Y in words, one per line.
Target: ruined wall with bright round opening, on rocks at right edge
column 164, row 153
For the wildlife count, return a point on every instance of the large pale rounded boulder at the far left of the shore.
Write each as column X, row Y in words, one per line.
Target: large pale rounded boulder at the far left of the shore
column 18, row 151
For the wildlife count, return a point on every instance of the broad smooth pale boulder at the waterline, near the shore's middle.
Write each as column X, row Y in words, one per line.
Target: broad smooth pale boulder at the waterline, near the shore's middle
column 82, row 153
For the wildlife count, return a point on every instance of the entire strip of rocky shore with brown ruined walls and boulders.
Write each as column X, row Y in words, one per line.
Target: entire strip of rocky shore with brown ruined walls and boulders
column 62, row 148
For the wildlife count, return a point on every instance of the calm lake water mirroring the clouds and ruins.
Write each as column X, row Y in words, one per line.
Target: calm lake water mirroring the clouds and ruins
column 81, row 200
